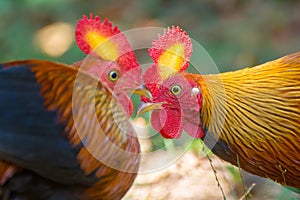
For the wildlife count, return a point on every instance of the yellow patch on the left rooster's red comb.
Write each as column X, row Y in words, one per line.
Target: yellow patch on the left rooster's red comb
column 102, row 46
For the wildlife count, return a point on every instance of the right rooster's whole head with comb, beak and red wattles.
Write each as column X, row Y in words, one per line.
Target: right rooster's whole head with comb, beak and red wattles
column 176, row 101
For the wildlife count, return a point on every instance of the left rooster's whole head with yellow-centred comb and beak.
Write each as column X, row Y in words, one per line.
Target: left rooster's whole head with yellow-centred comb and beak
column 110, row 58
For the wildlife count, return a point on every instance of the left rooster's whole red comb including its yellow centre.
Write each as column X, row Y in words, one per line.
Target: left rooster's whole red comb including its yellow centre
column 117, row 49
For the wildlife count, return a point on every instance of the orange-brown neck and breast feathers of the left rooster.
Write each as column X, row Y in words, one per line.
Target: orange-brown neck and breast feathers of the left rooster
column 99, row 129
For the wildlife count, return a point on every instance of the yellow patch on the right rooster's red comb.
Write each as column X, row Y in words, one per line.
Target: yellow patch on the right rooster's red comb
column 171, row 60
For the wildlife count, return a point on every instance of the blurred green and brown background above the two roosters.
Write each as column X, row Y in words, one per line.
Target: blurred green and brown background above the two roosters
column 236, row 33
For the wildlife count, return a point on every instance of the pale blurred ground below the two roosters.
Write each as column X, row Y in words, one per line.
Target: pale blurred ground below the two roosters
column 192, row 178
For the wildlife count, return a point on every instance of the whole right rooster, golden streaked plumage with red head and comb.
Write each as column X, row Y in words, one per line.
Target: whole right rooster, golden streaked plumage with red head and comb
column 253, row 114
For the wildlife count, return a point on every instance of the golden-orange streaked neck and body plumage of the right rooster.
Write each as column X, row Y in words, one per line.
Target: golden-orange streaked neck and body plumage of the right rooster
column 256, row 112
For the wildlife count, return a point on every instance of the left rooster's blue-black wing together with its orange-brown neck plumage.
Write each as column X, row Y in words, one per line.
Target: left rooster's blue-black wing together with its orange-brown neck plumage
column 38, row 131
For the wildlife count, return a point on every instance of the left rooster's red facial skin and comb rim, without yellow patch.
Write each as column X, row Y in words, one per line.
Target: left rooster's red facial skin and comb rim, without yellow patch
column 126, row 65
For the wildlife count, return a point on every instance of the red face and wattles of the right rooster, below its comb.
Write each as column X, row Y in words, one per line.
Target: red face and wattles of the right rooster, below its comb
column 179, row 112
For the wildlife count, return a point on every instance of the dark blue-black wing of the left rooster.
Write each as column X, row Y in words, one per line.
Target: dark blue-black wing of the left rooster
column 30, row 135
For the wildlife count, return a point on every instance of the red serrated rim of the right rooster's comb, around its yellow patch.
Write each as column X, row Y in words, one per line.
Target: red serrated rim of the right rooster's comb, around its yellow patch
column 172, row 36
